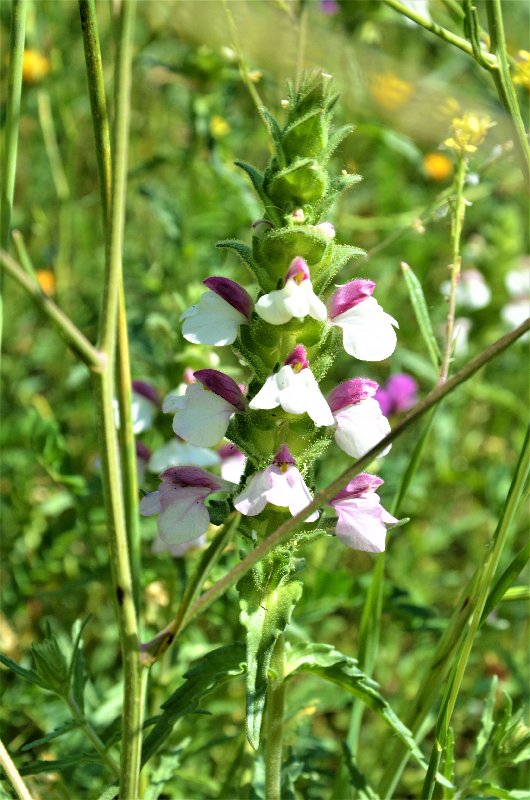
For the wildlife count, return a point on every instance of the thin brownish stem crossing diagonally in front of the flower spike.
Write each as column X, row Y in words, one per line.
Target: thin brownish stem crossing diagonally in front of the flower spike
column 286, row 530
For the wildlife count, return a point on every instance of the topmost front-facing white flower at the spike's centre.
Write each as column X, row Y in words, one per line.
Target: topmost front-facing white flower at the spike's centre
column 296, row 299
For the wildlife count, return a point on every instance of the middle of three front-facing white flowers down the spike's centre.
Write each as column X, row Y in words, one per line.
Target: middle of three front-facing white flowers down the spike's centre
column 295, row 389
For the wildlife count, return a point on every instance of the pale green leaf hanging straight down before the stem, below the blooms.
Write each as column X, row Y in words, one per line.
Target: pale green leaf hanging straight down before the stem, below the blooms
column 266, row 608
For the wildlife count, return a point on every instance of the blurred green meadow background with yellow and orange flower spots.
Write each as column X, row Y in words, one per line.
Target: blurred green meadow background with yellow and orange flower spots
column 192, row 116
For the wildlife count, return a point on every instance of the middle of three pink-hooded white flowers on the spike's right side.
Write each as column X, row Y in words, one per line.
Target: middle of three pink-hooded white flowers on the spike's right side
column 360, row 423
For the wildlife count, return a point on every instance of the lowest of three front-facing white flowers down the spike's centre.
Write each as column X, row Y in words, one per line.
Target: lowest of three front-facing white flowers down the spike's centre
column 280, row 484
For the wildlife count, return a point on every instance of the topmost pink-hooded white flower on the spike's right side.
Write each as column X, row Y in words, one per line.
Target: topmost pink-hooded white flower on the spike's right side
column 367, row 330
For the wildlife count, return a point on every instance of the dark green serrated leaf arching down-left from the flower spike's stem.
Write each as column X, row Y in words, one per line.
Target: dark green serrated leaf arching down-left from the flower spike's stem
column 211, row 671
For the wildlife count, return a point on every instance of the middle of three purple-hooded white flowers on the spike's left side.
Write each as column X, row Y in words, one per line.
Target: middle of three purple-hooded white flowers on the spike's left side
column 203, row 413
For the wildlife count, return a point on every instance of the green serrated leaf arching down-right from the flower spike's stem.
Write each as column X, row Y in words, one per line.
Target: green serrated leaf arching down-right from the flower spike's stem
column 332, row 665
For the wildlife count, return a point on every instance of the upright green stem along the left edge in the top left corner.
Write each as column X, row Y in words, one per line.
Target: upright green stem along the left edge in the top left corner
column 14, row 91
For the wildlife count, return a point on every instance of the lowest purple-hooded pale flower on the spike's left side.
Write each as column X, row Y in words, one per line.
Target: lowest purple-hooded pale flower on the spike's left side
column 179, row 503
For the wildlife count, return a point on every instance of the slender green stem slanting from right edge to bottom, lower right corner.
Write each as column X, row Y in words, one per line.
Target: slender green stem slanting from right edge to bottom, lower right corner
column 486, row 571
